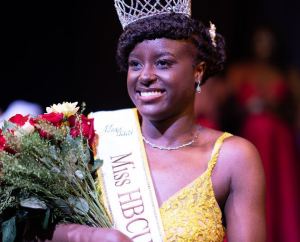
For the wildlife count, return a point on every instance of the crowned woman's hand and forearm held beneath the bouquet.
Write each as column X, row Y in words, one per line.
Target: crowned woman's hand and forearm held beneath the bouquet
column 82, row 233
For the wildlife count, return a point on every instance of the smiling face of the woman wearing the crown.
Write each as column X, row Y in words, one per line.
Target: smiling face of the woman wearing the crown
column 161, row 77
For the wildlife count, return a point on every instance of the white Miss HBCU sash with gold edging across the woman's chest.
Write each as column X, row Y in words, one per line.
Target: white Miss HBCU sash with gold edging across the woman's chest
column 126, row 179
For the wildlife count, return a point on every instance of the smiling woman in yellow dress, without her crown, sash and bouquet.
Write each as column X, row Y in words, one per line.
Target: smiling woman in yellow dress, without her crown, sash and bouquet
column 205, row 181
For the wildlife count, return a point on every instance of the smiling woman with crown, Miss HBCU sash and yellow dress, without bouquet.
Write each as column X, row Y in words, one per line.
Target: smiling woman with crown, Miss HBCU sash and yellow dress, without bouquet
column 167, row 178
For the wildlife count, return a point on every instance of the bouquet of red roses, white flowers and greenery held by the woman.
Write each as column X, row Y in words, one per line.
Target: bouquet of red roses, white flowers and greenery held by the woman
column 47, row 172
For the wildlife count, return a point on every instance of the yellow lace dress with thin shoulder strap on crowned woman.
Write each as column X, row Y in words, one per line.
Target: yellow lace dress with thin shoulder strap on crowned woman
column 193, row 214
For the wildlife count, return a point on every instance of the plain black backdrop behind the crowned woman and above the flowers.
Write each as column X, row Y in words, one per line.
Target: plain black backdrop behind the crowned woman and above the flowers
column 54, row 51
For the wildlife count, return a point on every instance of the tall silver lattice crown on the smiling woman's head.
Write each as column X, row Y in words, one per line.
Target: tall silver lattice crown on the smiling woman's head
column 132, row 10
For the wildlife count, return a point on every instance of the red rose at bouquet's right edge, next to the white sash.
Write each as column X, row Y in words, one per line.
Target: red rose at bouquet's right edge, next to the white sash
column 85, row 124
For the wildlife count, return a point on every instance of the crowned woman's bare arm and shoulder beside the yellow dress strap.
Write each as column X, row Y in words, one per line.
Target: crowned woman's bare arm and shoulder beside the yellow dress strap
column 245, row 205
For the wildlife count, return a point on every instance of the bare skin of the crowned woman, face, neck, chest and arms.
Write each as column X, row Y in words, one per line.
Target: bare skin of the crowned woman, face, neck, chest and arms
column 161, row 83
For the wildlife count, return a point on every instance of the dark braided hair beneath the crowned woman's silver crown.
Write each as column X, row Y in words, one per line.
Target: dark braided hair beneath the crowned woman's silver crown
column 177, row 27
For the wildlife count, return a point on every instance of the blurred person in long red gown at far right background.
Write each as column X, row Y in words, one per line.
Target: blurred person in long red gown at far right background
column 266, row 113
